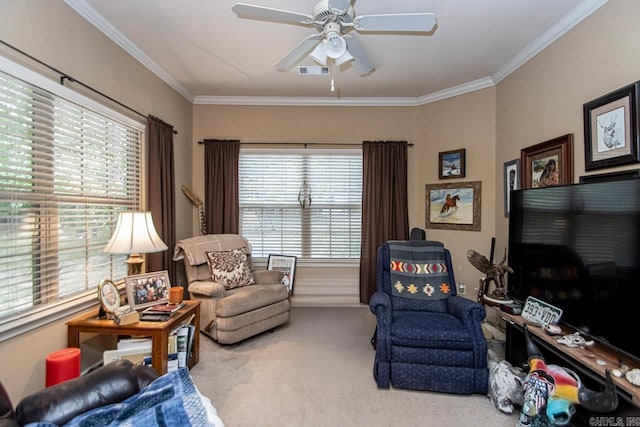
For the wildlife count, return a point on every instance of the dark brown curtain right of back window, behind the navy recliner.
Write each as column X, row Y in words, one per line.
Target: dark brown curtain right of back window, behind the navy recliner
column 385, row 214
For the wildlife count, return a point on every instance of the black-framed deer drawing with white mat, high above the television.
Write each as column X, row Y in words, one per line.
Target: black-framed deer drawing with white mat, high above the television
column 611, row 129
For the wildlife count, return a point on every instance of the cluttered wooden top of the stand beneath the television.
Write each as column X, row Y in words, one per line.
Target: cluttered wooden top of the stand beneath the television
column 586, row 357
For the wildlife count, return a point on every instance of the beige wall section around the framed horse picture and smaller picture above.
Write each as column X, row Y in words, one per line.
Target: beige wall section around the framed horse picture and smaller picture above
column 467, row 121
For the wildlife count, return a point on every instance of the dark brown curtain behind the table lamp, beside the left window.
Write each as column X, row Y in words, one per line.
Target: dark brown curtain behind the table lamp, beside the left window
column 161, row 193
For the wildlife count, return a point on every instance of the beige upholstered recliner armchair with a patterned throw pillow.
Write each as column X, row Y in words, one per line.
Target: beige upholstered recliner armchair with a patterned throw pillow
column 230, row 314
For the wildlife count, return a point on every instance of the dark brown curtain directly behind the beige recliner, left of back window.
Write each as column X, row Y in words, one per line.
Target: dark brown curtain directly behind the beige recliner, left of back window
column 221, row 158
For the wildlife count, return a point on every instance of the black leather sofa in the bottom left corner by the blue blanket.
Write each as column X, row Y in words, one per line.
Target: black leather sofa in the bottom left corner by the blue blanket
column 60, row 403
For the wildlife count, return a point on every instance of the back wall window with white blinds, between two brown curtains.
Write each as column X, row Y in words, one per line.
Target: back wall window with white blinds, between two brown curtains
column 273, row 188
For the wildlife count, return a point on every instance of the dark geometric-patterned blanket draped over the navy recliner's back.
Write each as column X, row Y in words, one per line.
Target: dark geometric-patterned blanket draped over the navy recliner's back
column 419, row 270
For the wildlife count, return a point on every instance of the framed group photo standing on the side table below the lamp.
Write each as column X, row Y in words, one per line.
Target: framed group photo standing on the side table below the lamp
column 145, row 290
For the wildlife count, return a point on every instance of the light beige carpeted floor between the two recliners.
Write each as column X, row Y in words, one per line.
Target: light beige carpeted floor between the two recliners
column 317, row 371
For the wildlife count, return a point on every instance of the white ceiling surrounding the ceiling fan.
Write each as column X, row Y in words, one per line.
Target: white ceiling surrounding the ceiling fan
column 209, row 55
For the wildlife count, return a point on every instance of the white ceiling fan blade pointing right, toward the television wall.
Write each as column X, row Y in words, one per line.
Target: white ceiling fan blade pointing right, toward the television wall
column 422, row 22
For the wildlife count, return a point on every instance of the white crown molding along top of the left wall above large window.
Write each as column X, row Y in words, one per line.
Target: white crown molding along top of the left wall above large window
column 85, row 10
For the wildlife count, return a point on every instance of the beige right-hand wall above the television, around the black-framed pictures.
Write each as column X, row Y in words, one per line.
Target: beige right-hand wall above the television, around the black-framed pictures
column 543, row 99
